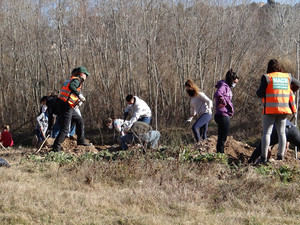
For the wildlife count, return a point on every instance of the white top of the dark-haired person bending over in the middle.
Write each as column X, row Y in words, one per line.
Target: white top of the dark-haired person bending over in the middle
column 138, row 109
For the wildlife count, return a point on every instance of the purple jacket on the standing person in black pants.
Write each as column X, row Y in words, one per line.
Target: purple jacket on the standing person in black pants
column 223, row 98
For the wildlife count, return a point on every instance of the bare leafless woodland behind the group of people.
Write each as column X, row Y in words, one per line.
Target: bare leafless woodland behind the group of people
column 142, row 47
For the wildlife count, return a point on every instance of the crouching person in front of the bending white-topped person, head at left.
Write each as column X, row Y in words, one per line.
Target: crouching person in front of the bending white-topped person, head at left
column 140, row 131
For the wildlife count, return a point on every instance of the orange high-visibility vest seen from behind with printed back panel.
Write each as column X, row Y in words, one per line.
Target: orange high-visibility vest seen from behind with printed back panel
column 278, row 94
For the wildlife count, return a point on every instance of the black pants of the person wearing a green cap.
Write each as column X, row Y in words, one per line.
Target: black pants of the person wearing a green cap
column 68, row 115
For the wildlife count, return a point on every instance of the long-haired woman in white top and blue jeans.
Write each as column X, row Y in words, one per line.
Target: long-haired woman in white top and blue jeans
column 200, row 106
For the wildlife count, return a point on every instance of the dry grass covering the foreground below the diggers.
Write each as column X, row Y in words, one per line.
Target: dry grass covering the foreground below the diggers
column 143, row 191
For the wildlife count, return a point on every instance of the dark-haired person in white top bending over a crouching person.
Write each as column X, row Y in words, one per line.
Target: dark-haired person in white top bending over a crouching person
column 139, row 109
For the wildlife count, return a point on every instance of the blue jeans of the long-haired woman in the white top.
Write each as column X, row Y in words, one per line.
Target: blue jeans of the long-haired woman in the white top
column 200, row 127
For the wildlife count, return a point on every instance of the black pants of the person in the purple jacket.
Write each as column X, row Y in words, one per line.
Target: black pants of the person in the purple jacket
column 223, row 130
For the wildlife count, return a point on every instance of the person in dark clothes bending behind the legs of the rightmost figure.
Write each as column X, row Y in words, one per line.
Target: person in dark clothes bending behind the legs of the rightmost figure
column 292, row 136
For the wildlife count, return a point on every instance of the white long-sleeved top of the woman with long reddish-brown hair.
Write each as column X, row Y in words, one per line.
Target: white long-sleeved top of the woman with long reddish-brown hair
column 199, row 105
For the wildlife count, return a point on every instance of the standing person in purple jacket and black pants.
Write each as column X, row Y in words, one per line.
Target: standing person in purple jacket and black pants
column 224, row 107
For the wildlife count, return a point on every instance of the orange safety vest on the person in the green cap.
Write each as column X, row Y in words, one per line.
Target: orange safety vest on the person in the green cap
column 67, row 95
